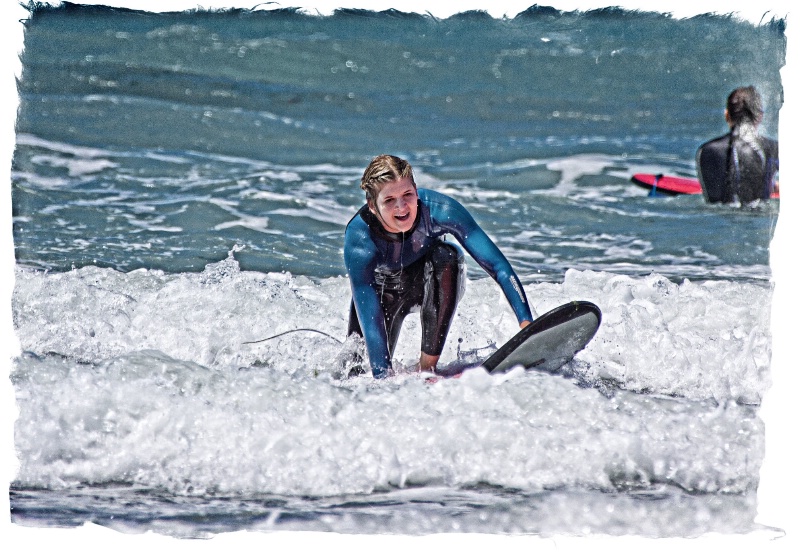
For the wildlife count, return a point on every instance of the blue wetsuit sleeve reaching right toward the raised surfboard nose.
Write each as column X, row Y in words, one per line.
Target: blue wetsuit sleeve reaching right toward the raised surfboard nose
column 458, row 221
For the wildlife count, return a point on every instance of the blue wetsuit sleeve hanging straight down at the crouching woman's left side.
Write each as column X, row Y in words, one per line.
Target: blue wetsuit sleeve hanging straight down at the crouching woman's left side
column 359, row 259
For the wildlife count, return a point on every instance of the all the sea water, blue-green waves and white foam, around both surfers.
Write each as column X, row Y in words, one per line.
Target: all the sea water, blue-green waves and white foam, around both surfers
column 180, row 186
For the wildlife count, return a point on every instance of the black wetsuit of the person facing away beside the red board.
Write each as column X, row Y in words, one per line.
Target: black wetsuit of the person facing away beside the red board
column 739, row 166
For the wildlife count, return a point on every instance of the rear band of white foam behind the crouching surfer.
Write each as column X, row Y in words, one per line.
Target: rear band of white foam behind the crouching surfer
column 700, row 340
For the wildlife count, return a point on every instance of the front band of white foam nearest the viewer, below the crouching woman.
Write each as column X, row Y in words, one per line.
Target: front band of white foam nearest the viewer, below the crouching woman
column 149, row 419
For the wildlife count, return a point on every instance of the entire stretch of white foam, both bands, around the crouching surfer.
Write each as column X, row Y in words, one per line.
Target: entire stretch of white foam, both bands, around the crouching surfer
column 145, row 378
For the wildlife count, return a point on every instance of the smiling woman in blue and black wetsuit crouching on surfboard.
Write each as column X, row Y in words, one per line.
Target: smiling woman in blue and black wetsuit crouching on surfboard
column 397, row 261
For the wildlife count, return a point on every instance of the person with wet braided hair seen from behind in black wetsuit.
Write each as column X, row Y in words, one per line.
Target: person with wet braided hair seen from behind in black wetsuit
column 741, row 166
